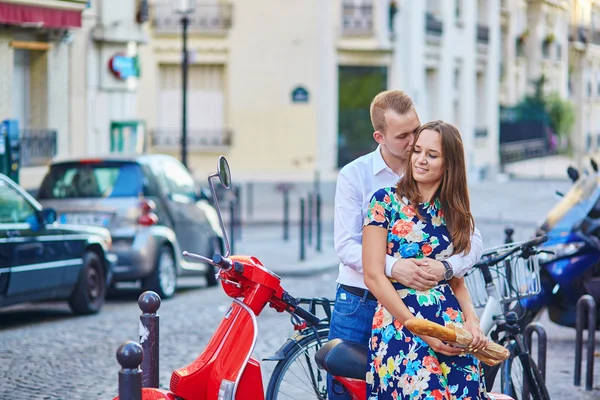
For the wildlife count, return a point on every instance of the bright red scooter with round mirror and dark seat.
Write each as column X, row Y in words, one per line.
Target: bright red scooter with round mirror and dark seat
column 226, row 369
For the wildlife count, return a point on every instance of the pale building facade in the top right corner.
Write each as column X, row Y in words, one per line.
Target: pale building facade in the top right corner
column 559, row 39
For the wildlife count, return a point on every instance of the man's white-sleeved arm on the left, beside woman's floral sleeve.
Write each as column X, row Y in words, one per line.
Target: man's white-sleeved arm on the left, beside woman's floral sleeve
column 348, row 221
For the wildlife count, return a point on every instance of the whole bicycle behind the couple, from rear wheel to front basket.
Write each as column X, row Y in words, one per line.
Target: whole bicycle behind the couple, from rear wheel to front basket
column 508, row 273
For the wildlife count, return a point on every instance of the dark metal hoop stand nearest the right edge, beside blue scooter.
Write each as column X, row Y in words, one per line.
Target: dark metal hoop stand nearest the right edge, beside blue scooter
column 585, row 301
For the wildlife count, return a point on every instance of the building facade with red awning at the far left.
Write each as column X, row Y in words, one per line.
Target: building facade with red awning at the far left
column 34, row 77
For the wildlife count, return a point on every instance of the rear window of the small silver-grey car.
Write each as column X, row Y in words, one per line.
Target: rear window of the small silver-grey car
column 78, row 180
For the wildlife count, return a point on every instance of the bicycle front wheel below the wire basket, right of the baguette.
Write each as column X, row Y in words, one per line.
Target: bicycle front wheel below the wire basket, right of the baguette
column 522, row 379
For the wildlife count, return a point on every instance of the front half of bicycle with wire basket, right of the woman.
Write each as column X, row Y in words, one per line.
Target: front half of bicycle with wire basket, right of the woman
column 509, row 273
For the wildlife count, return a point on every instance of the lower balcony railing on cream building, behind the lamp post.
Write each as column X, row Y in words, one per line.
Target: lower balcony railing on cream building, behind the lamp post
column 196, row 139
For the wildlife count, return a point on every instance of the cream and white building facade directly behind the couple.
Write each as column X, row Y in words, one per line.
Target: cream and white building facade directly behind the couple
column 284, row 88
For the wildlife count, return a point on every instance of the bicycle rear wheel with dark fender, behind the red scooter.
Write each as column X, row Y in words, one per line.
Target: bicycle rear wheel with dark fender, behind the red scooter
column 297, row 375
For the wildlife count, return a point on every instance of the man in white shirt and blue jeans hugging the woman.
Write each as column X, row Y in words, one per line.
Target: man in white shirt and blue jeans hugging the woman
column 395, row 121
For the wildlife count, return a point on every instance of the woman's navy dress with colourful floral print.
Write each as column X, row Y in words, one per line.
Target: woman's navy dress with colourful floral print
column 401, row 365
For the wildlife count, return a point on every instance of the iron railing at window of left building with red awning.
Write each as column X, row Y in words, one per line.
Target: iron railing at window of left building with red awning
column 38, row 146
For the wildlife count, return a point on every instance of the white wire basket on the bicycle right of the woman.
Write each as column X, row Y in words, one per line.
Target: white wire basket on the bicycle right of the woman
column 514, row 278
